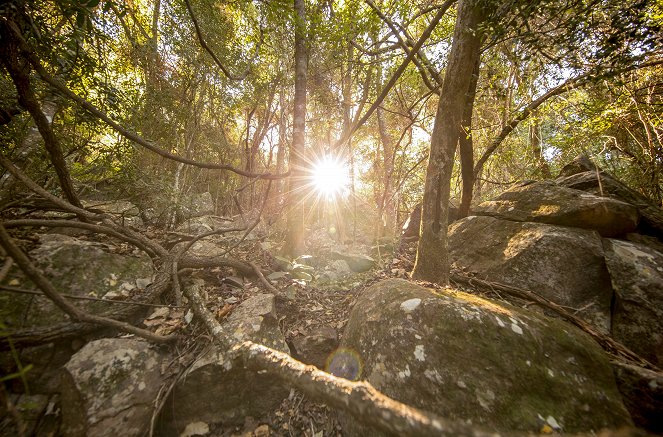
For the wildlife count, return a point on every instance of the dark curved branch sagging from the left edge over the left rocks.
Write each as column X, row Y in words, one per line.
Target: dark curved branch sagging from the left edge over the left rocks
column 72, row 311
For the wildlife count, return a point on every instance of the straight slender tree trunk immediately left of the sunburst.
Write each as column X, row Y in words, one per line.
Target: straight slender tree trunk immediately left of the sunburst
column 295, row 237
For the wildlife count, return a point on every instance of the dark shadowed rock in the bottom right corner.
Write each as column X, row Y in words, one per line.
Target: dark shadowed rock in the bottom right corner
column 642, row 391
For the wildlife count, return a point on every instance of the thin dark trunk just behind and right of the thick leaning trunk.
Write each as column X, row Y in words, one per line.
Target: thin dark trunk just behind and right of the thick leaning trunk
column 466, row 147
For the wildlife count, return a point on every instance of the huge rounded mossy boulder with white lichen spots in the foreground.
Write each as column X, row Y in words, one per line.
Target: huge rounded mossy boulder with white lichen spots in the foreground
column 467, row 358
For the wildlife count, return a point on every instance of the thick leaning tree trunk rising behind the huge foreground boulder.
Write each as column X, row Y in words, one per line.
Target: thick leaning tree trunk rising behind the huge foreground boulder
column 432, row 263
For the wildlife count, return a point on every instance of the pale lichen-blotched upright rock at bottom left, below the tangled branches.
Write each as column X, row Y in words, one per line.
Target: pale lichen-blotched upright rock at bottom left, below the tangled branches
column 109, row 388
